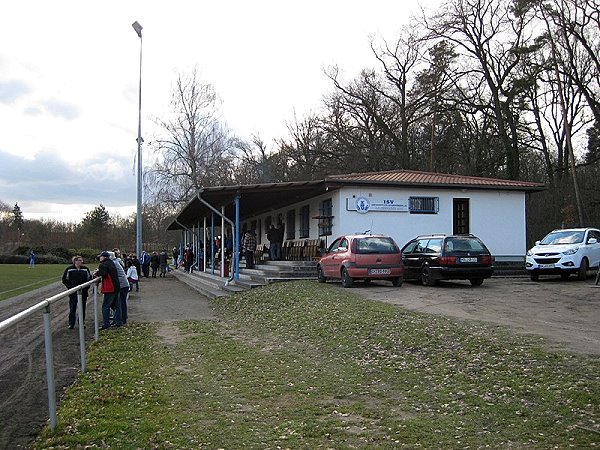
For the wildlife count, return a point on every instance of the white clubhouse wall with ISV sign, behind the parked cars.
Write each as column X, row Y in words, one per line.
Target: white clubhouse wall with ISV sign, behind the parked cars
column 497, row 217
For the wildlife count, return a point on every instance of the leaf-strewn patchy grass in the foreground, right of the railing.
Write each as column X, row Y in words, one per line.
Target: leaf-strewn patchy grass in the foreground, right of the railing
column 302, row 365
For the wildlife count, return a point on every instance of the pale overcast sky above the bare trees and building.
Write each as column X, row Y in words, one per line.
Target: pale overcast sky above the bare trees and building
column 69, row 75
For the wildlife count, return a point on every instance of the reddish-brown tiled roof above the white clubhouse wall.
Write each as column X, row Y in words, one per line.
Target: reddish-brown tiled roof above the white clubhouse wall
column 411, row 178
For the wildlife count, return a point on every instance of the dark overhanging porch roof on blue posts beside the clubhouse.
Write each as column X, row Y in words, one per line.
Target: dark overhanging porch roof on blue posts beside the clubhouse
column 255, row 199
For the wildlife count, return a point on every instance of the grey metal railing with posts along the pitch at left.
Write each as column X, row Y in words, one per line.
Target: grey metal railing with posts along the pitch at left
column 45, row 305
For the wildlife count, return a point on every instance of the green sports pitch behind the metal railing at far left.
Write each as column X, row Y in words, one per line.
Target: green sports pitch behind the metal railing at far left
column 18, row 279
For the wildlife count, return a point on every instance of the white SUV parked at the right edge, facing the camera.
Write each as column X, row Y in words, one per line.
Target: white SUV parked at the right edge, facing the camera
column 564, row 252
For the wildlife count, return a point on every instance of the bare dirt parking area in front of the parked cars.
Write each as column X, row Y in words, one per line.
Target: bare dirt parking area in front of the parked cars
column 565, row 312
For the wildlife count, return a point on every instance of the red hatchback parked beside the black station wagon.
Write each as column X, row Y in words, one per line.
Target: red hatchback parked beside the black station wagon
column 361, row 257
